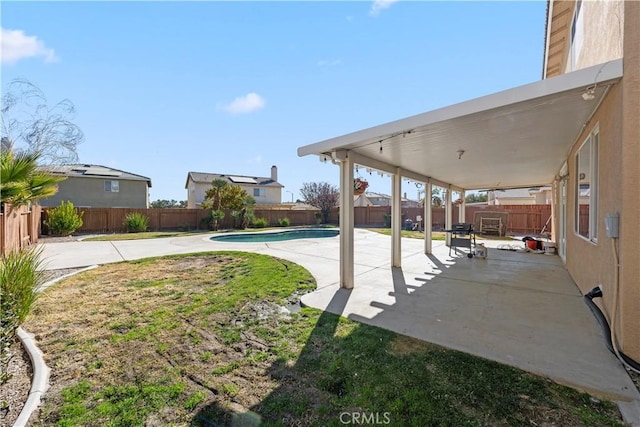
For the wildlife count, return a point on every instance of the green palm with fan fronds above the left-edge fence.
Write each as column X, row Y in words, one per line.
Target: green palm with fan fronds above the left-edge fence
column 21, row 181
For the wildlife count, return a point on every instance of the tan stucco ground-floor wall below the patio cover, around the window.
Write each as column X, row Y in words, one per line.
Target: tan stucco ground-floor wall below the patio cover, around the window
column 592, row 264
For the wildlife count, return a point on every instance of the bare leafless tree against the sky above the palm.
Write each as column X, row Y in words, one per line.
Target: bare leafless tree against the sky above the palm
column 31, row 125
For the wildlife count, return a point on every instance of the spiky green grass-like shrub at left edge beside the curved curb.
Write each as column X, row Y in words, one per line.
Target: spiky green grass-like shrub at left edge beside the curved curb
column 20, row 276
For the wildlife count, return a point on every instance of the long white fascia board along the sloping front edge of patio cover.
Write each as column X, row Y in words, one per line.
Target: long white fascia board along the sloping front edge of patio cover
column 580, row 79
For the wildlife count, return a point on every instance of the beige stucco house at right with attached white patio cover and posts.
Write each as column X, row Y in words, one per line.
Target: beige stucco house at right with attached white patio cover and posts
column 577, row 128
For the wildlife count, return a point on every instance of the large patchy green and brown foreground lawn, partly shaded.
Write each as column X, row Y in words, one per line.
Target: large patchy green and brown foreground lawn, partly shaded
column 200, row 339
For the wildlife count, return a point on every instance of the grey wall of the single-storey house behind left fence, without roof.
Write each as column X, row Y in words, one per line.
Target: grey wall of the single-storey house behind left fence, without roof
column 89, row 192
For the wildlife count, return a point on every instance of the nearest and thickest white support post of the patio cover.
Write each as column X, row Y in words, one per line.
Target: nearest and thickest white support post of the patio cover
column 346, row 220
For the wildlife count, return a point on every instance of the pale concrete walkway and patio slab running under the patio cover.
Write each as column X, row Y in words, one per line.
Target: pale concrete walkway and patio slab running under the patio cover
column 521, row 309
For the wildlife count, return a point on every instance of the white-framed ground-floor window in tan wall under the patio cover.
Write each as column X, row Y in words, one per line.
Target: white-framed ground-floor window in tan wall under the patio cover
column 586, row 219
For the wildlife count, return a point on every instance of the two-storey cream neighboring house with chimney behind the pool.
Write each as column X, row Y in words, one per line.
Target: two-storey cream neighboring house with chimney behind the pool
column 265, row 190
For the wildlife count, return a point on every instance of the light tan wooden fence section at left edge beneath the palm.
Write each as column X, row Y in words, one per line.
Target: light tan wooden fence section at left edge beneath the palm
column 19, row 226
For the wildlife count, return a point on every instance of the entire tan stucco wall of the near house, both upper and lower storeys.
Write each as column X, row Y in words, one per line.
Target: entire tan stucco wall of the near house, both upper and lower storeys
column 611, row 30
